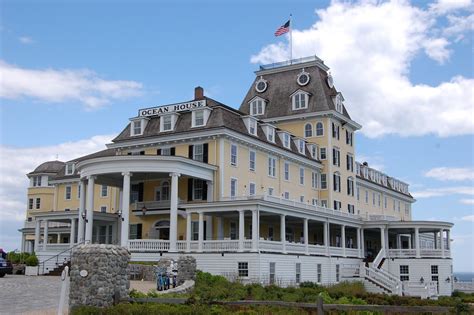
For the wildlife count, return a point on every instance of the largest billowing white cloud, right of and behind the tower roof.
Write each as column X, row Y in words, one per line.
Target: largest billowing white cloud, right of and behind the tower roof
column 370, row 47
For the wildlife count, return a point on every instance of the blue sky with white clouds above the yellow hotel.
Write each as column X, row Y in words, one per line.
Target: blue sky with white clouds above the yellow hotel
column 72, row 75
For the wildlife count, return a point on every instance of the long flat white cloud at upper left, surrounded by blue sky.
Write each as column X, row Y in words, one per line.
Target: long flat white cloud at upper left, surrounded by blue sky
column 63, row 85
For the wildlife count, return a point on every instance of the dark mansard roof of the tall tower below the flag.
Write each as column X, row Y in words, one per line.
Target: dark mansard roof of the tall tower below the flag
column 282, row 83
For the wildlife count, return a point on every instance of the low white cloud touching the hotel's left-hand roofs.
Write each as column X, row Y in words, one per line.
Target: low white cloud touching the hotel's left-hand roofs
column 13, row 181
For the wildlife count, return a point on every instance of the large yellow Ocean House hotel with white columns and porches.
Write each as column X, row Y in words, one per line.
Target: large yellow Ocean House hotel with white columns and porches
column 269, row 193
